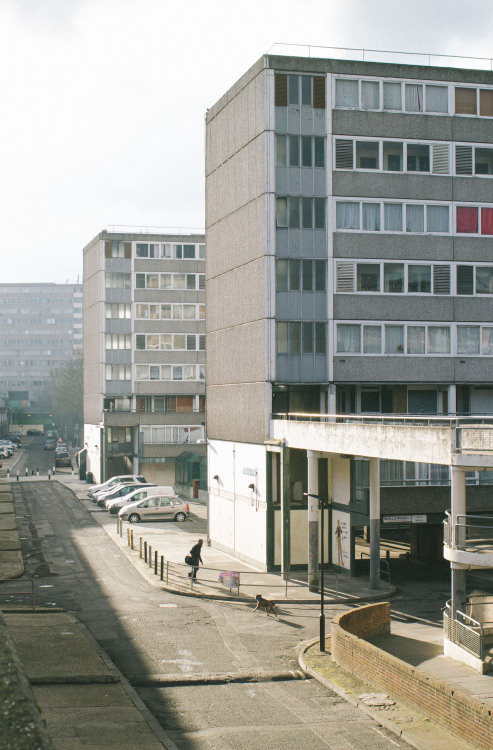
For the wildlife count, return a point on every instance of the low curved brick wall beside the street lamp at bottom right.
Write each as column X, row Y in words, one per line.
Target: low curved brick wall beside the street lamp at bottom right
column 462, row 714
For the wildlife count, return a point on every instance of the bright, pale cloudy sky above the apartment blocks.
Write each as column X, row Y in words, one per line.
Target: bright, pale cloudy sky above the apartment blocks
column 102, row 103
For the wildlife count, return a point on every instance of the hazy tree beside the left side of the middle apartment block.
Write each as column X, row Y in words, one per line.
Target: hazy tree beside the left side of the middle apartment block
column 66, row 394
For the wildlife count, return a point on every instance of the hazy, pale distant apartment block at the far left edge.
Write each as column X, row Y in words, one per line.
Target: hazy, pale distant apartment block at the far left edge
column 40, row 328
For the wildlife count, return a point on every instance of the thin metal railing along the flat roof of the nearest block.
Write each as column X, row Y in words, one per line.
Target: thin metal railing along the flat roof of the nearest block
column 368, row 55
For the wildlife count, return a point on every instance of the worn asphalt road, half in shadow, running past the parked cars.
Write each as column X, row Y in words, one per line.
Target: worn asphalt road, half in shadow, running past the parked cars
column 176, row 651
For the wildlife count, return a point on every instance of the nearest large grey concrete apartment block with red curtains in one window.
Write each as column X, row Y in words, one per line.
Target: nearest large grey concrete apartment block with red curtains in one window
column 349, row 271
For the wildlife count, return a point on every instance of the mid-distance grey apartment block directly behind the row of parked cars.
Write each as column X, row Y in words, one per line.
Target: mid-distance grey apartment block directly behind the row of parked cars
column 144, row 356
